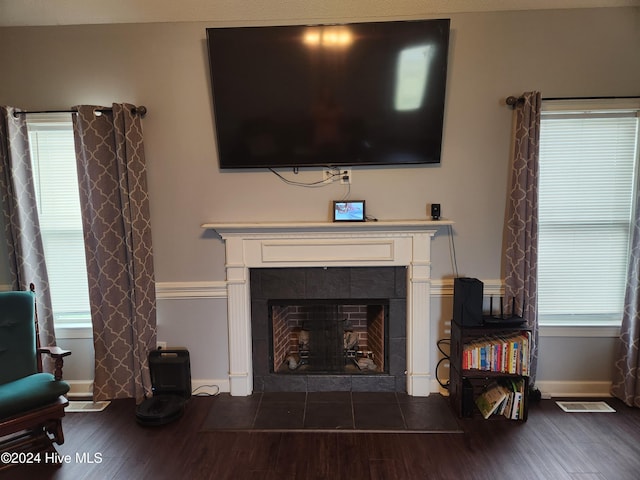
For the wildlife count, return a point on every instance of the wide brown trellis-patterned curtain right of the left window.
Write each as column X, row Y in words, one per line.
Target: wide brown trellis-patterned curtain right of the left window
column 115, row 211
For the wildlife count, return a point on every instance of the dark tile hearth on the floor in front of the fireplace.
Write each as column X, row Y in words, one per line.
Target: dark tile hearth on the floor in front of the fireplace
column 332, row 411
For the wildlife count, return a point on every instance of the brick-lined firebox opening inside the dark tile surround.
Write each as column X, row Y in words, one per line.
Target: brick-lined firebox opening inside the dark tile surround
column 329, row 336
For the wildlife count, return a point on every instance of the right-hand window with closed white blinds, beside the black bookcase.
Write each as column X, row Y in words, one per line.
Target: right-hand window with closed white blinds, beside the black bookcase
column 588, row 157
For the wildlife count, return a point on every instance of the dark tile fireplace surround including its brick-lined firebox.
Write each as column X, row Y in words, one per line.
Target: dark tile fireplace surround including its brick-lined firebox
column 329, row 329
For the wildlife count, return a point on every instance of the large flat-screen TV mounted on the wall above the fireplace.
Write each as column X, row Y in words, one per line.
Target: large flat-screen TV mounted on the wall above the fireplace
column 323, row 95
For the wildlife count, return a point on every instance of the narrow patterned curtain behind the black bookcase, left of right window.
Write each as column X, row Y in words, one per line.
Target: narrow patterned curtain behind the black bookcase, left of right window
column 521, row 234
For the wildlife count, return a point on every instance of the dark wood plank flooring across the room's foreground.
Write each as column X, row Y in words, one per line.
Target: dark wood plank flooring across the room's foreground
column 552, row 444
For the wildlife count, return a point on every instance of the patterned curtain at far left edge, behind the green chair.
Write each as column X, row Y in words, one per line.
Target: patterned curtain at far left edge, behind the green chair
column 22, row 227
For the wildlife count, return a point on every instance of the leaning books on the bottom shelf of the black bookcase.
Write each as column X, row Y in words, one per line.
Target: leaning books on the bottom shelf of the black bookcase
column 505, row 398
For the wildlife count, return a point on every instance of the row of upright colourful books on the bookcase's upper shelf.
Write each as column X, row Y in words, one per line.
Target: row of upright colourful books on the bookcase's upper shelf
column 504, row 354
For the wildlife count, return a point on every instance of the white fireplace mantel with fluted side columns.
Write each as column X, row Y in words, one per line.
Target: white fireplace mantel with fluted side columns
column 329, row 244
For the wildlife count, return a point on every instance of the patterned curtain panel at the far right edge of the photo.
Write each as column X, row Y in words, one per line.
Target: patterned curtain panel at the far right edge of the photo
column 626, row 384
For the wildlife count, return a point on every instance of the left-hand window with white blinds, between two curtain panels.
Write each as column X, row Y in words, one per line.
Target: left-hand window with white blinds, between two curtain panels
column 56, row 183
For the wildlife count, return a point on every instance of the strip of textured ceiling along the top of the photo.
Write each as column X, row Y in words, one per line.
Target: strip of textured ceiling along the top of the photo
column 74, row 12
